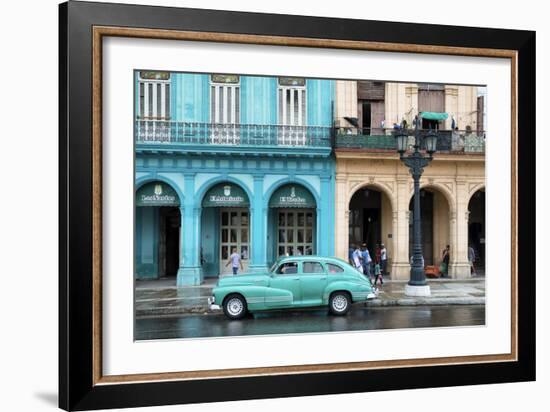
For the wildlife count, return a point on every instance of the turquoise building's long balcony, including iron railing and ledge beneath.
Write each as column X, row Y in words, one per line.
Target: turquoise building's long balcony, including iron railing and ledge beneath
column 160, row 135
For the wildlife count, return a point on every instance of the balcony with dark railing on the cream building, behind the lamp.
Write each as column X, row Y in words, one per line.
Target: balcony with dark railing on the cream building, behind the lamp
column 382, row 140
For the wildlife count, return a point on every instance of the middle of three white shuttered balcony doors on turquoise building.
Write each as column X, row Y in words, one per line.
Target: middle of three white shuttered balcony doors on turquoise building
column 225, row 109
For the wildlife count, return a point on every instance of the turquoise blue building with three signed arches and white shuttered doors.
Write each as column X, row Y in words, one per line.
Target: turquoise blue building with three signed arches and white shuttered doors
column 228, row 162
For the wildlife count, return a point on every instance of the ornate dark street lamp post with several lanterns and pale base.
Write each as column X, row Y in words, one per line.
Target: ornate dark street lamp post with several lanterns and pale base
column 416, row 162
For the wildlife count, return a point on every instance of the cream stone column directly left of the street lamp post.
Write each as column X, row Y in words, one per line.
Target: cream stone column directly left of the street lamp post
column 401, row 265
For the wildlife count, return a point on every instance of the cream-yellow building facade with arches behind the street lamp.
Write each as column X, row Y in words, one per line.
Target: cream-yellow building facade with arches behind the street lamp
column 374, row 189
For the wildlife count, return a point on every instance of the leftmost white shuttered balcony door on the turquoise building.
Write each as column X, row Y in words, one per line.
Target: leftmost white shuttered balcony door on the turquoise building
column 153, row 111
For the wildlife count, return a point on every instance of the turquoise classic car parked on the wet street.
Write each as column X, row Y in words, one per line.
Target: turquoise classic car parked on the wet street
column 293, row 282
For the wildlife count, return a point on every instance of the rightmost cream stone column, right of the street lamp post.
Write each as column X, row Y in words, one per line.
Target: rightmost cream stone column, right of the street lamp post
column 460, row 267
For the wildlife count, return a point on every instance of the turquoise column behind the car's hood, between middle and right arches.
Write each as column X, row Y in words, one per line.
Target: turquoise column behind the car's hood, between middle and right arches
column 258, row 227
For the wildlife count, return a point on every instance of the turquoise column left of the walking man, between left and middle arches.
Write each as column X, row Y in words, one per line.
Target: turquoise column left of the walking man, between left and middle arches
column 190, row 270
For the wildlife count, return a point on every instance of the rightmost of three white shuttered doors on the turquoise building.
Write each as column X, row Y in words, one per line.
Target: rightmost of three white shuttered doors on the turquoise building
column 291, row 101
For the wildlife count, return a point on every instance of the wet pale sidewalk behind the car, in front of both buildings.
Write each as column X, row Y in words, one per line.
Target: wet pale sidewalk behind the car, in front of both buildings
column 163, row 298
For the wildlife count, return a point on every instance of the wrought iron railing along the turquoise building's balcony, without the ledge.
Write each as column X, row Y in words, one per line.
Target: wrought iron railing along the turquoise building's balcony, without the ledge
column 161, row 131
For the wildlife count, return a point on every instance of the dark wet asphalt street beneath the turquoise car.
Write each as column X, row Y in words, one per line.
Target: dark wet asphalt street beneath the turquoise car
column 284, row 322
